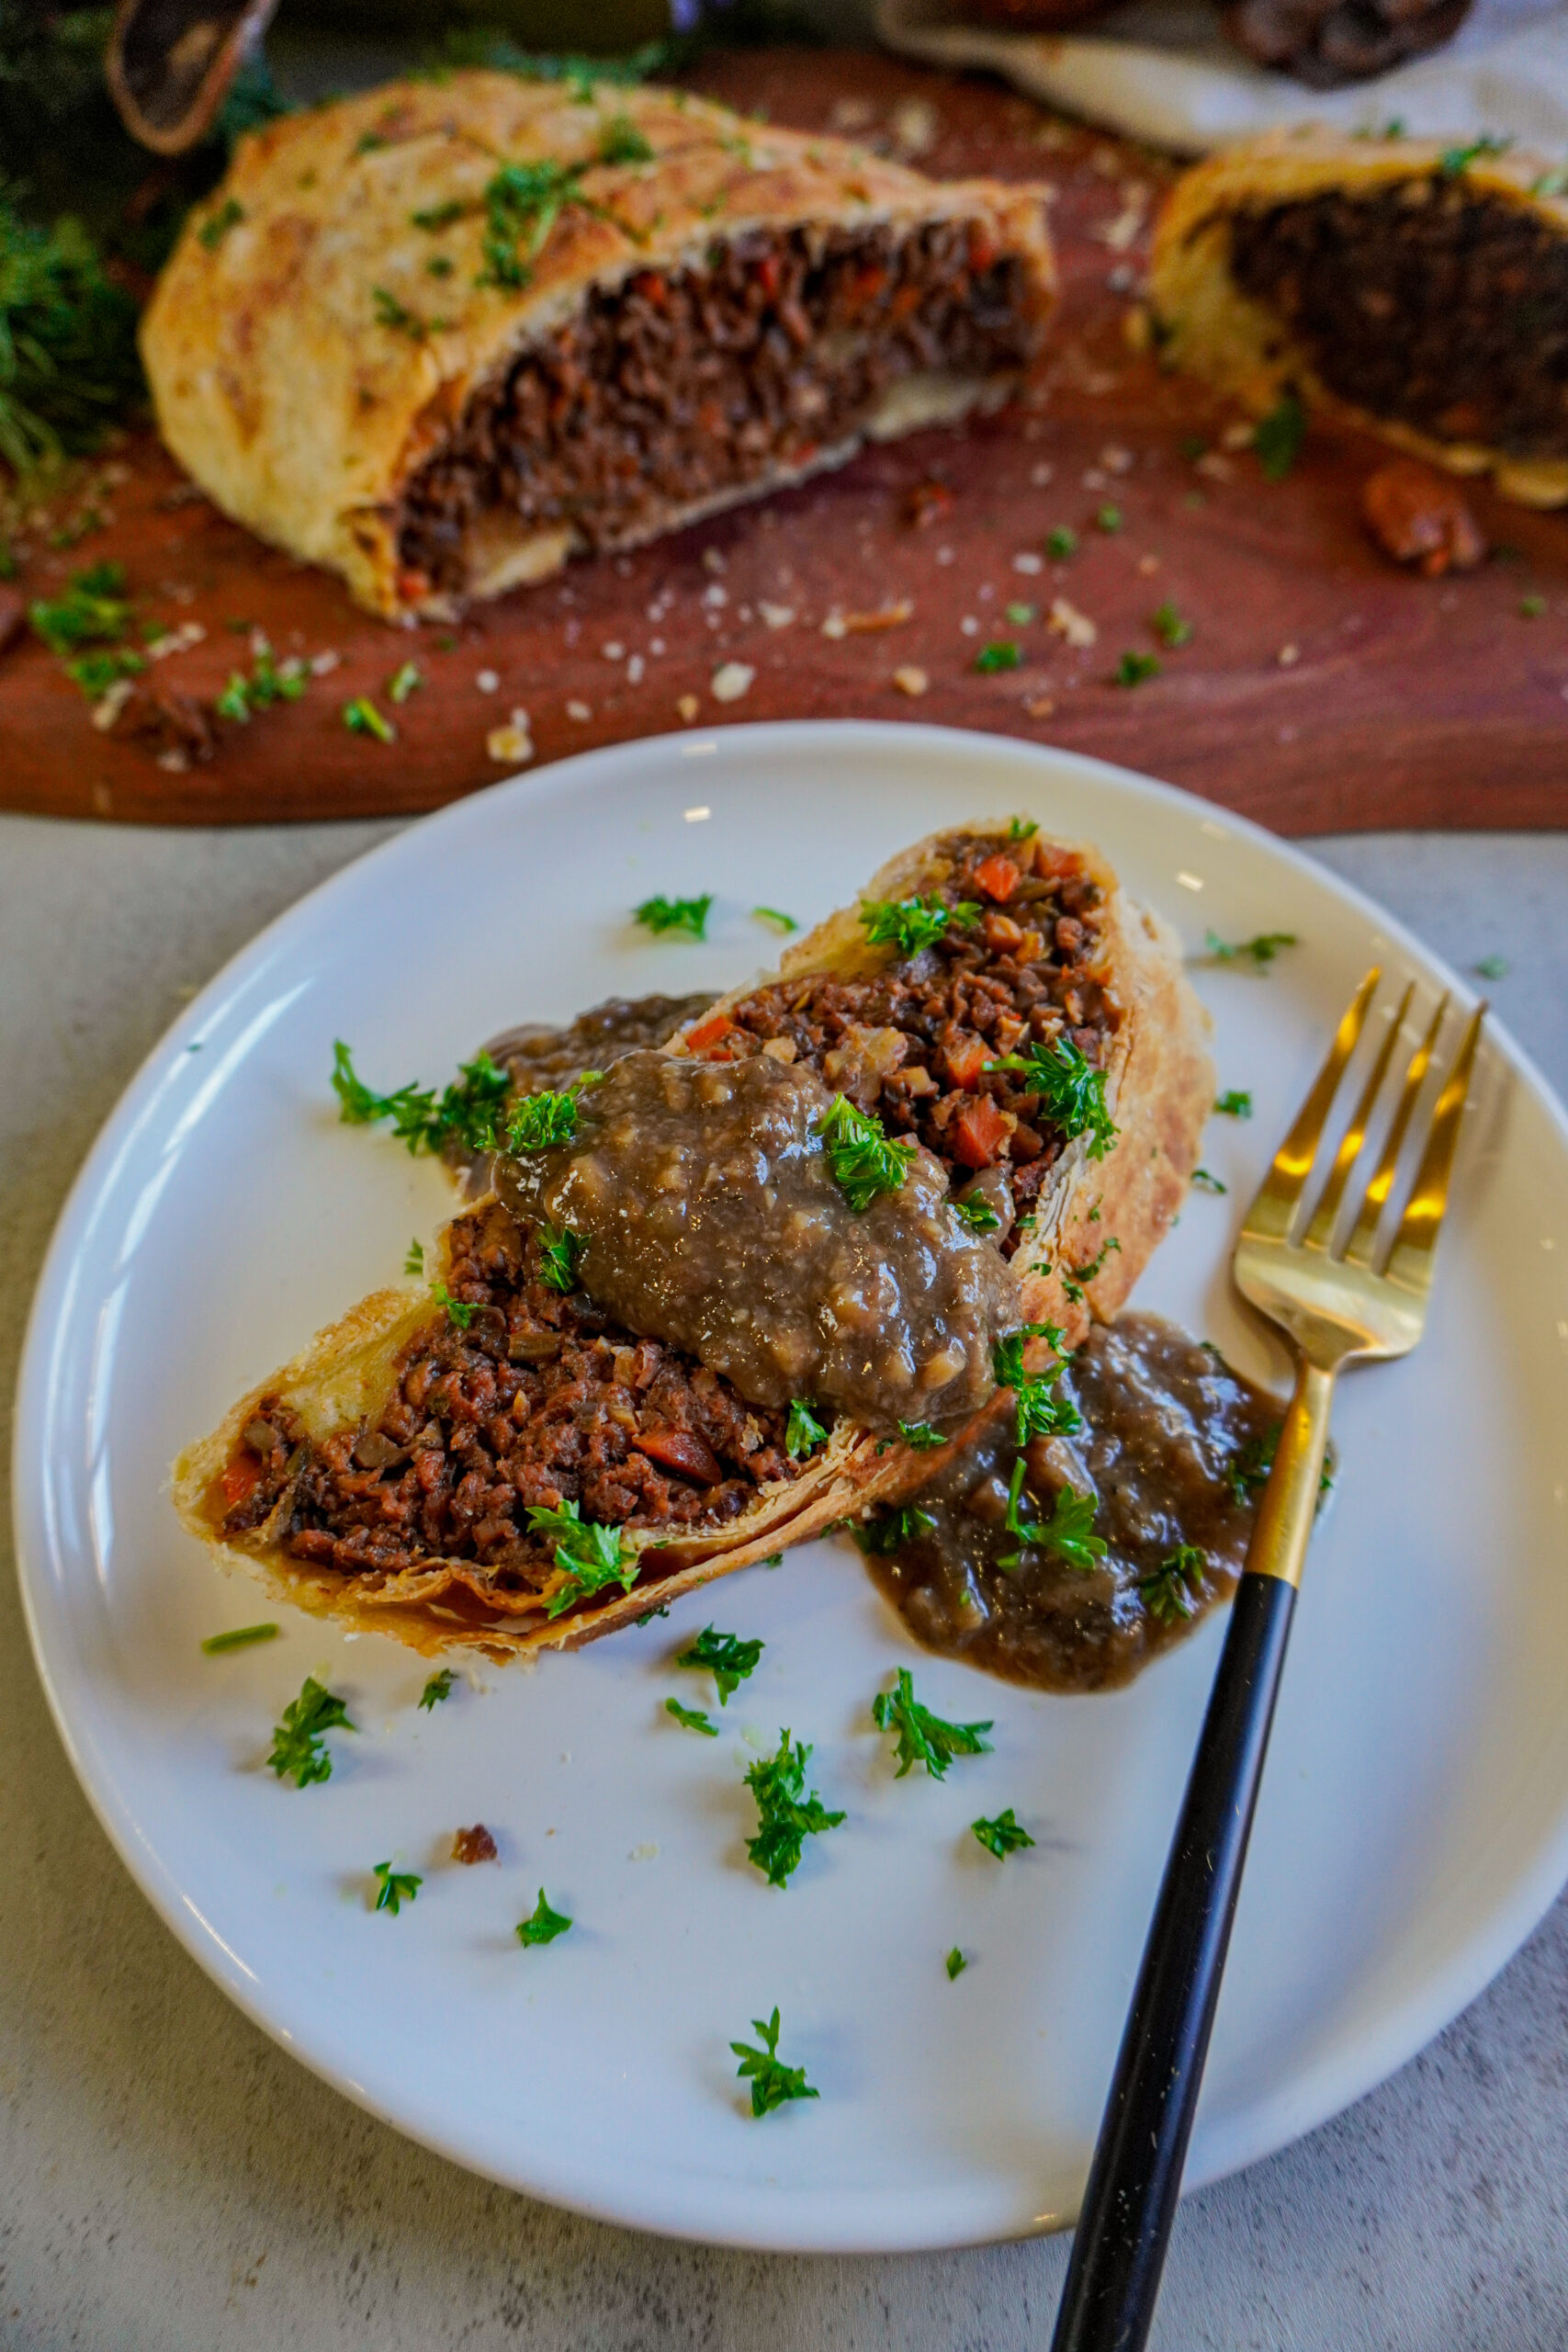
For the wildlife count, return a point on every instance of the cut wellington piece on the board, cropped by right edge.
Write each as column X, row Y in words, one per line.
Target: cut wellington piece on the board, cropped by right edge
column 1409, row 288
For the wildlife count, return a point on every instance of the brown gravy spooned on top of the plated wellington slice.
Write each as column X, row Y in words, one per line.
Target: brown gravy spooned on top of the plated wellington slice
column 711, row 1220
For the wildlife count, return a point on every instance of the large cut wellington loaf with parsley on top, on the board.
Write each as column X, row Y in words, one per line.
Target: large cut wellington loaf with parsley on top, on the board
column 445, row 335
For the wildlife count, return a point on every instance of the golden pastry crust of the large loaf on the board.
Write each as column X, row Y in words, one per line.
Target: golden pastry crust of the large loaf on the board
column 304, row 415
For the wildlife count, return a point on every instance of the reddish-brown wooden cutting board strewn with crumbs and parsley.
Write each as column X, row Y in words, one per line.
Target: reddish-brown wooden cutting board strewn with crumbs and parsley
column 1320, row 690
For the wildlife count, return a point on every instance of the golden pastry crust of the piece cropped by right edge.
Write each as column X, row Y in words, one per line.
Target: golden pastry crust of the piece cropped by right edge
column 1245, row 349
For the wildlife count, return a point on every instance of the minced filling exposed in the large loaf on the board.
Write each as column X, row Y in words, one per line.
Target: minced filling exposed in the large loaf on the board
column 681, row 387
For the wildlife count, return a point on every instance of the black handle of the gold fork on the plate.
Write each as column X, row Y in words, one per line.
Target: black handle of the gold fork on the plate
column 1137, row 2174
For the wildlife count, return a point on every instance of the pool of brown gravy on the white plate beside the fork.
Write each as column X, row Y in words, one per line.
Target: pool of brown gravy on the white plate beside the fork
column 1174, row 1450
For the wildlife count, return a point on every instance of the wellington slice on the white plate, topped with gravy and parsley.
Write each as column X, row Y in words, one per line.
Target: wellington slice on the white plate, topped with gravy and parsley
column 746, row 1285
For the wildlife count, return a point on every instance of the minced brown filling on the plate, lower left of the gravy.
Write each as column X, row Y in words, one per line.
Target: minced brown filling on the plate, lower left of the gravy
column 540, row 1401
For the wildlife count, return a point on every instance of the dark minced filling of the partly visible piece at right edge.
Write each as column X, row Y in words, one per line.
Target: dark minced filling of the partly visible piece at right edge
column 1426, row 305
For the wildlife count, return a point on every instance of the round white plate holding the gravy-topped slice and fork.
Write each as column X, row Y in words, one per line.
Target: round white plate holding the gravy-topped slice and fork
column 1416, row 1810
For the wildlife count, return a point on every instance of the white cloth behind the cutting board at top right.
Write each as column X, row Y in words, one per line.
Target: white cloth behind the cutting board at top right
column 1162, row 72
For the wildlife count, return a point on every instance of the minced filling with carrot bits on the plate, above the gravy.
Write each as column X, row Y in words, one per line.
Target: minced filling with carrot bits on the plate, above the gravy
column 1003, row 968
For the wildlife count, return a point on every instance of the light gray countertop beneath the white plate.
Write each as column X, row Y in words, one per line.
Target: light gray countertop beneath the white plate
column 170, row 2179
